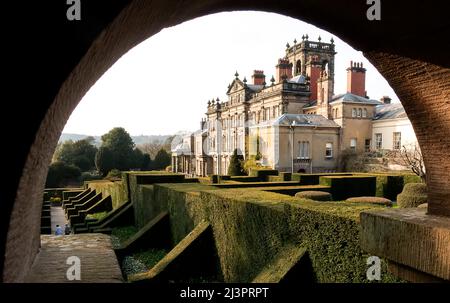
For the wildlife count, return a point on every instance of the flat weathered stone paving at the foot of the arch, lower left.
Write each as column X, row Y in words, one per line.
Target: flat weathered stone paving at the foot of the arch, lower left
column 98, row 262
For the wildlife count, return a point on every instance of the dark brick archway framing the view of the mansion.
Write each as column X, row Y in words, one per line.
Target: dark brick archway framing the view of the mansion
column 416, row 72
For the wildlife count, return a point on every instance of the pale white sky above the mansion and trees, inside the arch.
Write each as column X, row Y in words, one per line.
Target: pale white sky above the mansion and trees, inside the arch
column 162, row 85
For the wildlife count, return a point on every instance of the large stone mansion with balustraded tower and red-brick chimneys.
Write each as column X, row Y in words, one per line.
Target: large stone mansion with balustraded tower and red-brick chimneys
column 293, row 121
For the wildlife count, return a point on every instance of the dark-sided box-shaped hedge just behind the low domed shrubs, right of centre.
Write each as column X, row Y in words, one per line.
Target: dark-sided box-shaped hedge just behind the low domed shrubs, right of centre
column 343, row 187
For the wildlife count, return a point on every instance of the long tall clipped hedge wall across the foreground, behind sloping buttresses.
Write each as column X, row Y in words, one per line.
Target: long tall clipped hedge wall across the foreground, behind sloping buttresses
column 248, row 221
